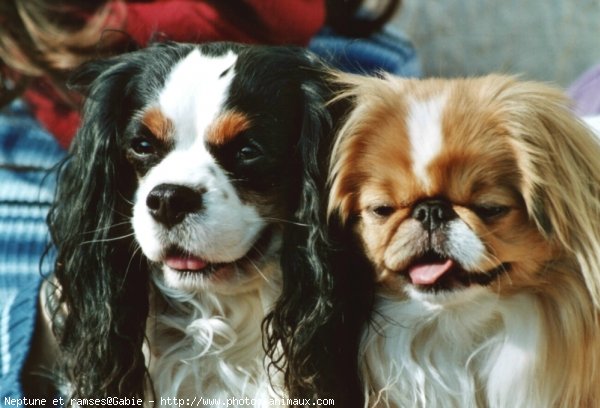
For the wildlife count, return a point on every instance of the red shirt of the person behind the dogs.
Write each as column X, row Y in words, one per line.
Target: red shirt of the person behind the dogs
column 250, row 21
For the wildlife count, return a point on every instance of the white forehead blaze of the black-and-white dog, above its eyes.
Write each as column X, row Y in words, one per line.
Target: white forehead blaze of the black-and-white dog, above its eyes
column 194, row 93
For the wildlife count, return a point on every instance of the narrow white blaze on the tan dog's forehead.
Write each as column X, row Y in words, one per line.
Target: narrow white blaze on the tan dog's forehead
column 425, row 134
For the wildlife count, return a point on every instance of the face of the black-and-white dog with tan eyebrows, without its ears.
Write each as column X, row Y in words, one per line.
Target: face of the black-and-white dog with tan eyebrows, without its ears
column 213, row 148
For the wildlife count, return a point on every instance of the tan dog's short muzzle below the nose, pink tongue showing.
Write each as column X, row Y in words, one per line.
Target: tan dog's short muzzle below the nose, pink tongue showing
column 440, row 262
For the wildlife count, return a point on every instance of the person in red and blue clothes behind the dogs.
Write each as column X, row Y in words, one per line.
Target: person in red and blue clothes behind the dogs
column 43, row 41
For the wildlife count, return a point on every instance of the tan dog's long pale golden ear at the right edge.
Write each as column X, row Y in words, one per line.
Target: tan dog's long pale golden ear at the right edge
column 560, row 160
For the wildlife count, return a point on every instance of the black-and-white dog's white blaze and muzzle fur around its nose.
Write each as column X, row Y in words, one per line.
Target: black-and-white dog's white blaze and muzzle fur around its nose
column 227, row 227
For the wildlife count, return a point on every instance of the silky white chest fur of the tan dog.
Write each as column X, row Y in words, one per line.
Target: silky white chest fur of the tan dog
column 481, row 353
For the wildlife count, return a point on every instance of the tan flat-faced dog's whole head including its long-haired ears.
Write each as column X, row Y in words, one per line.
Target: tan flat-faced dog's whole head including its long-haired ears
column 459, row 186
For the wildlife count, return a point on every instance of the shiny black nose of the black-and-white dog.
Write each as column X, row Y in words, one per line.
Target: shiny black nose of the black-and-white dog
column 170, row 203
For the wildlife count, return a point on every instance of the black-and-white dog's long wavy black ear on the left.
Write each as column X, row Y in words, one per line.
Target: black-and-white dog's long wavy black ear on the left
column 103, row 287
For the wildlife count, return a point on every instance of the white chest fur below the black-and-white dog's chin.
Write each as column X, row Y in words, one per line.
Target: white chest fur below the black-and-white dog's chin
column 209, row 346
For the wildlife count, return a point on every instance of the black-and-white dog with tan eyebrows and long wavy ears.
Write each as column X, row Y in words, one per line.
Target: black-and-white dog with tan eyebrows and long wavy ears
column 194, row 176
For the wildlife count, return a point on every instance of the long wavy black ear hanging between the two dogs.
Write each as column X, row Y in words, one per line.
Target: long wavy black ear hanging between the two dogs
column 304, row 334
